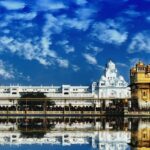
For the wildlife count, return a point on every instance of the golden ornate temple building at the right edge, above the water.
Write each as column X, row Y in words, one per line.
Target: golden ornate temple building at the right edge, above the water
column 140, row 84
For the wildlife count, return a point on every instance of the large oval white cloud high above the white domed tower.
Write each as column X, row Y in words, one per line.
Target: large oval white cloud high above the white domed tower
column 110, row 32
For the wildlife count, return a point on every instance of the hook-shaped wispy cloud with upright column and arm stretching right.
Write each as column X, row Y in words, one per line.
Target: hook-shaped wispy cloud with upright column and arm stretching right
column 55, row 25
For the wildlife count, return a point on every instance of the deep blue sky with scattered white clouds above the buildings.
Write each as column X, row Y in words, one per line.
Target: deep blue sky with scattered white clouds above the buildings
column 44, row 42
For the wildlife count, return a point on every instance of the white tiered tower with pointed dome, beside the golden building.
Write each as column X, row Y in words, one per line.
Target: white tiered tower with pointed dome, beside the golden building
column 112, row 85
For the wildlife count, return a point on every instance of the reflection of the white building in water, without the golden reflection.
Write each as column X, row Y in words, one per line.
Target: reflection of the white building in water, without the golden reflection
column 69, row 134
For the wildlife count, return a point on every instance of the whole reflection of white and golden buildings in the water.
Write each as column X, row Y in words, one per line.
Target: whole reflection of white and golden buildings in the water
column 99, row 133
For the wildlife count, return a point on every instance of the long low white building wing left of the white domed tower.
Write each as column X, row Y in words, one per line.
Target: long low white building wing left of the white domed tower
column 49, row 91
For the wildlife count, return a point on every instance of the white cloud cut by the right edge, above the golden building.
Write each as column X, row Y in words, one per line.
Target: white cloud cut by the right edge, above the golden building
column 140, row 43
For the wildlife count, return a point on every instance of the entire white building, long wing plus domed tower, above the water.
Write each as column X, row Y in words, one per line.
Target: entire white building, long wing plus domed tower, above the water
column 111, row 85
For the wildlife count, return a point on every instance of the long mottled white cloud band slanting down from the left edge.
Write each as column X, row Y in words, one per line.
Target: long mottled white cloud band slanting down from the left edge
column 31, row 51
